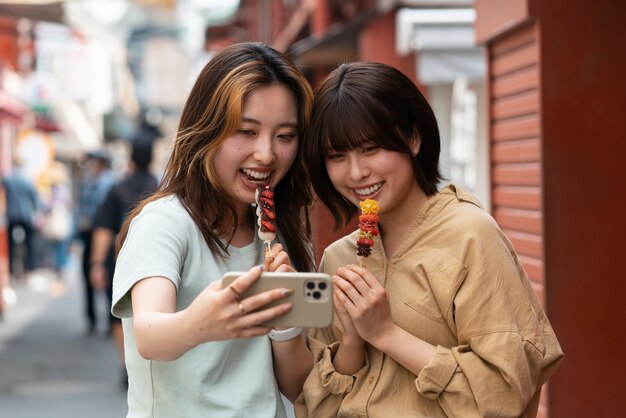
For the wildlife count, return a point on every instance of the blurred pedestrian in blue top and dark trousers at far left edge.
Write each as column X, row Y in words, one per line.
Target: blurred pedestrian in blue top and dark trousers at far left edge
column 22, row 211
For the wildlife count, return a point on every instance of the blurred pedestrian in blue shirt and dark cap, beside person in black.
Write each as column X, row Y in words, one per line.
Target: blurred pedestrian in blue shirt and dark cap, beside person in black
column 95, row 185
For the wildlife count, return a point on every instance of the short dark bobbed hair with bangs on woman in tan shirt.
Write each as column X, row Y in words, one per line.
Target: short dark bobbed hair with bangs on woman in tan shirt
column 365, row 101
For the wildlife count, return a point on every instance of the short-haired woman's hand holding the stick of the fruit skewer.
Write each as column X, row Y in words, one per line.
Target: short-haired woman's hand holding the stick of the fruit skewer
column 366, row 301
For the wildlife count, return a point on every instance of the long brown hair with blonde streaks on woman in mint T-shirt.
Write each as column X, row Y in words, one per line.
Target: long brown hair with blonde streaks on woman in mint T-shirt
column 212, row 113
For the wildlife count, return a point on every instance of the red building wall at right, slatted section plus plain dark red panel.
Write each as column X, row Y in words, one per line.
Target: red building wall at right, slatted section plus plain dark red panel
column 577, row 135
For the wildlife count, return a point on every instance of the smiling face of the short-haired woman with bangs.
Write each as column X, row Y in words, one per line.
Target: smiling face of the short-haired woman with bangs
column 370, row 172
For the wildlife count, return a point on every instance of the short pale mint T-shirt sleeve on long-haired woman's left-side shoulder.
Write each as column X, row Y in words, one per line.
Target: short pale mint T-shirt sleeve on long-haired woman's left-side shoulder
column 155, row 247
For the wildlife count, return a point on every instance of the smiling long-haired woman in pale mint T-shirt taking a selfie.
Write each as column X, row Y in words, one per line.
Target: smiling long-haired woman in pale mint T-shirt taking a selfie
column 190, row 345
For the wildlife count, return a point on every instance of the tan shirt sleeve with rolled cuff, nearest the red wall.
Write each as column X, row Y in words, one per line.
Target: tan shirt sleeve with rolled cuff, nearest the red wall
column 506, row 347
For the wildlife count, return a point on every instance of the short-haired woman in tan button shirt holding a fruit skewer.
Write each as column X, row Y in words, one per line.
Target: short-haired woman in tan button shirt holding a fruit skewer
column 441, row 320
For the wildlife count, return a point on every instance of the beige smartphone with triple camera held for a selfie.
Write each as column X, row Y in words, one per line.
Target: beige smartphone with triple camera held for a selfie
column 312, row 297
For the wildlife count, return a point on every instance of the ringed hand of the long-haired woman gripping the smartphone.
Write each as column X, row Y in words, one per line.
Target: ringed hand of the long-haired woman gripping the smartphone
column 219, row 314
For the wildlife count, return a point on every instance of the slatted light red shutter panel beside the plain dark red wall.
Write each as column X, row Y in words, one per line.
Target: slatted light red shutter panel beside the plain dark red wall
column 516, row 146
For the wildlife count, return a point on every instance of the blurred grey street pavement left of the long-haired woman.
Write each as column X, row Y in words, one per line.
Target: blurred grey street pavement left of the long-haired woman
column 49, row 366
